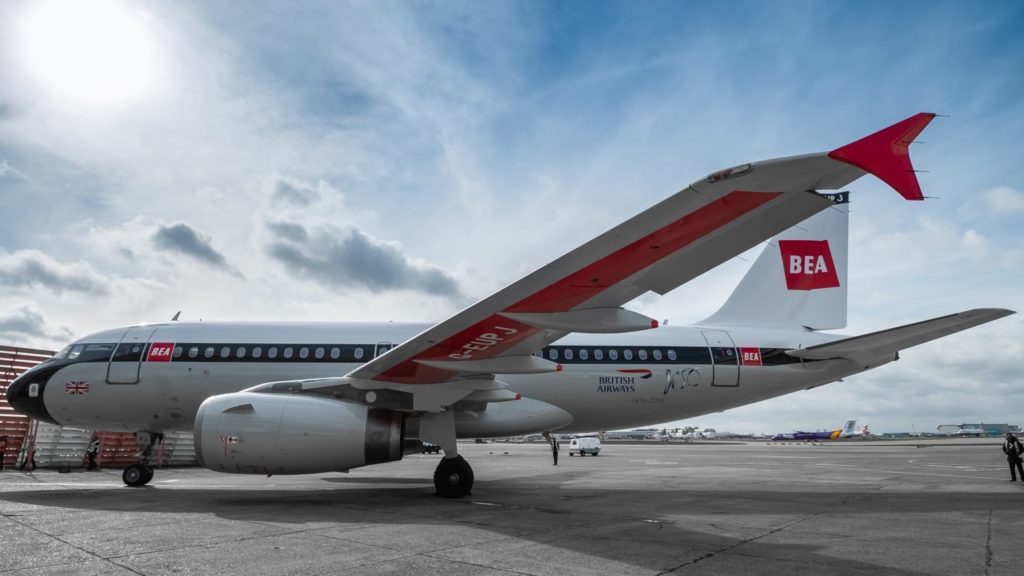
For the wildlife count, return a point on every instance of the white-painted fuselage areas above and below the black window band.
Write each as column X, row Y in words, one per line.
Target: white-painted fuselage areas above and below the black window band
column 600, row 397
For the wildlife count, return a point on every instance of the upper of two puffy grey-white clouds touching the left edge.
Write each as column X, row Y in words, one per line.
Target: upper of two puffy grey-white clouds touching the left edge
column 32, row 269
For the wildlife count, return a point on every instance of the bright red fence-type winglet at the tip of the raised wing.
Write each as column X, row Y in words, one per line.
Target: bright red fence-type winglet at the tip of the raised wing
column 885, row 155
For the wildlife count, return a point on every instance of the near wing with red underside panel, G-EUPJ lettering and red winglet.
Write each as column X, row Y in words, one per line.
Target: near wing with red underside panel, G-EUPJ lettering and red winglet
column 692, row 232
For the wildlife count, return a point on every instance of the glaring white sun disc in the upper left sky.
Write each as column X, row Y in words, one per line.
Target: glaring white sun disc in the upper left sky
column 100, row 53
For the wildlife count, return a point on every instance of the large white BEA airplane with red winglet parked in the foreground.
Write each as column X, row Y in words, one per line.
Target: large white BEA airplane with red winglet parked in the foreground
column 553, row 351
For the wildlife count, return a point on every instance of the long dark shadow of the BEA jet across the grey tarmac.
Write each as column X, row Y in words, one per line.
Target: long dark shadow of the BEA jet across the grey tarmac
column 598, row 522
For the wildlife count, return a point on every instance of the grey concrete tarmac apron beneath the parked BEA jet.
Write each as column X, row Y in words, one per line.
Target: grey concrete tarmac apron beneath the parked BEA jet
column 843, row 508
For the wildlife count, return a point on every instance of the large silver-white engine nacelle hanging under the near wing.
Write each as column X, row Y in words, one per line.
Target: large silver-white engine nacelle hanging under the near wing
column 252, row 433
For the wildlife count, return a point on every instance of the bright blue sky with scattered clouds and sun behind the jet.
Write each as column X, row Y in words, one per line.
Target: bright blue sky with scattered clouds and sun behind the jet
column 399, row 161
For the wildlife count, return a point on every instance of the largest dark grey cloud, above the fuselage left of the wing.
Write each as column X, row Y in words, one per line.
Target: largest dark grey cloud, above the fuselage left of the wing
column 351, row 259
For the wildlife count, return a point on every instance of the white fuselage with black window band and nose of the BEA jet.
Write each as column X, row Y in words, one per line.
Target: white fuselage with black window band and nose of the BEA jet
column 154, row 378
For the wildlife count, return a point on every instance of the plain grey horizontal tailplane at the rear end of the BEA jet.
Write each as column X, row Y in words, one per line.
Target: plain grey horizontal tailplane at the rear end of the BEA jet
column 886, row 343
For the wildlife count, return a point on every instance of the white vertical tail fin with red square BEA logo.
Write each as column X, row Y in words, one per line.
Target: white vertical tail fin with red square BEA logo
column 800, row 278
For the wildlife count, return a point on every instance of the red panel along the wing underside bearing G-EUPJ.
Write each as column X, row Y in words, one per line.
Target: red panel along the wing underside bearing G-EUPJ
column 588, row 282
